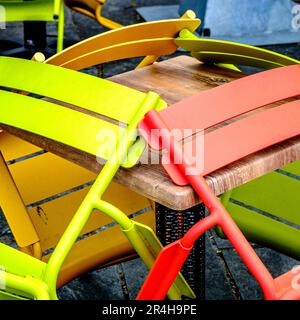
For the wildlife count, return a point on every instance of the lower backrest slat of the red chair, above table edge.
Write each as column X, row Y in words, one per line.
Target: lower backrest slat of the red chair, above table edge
column 248, row 135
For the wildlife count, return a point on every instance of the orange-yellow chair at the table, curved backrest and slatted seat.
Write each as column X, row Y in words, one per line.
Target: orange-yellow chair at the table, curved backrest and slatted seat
column 37, row 188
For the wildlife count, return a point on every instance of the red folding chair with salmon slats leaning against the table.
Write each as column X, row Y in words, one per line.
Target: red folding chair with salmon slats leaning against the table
column 186, row 163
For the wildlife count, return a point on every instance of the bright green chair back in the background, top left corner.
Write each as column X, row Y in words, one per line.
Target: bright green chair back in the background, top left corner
column 37, row 10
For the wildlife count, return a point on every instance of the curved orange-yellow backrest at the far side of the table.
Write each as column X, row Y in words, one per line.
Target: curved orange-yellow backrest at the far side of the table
column 144, row 39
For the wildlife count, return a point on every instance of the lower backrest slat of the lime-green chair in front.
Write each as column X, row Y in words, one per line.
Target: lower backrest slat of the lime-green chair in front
column 61, row 124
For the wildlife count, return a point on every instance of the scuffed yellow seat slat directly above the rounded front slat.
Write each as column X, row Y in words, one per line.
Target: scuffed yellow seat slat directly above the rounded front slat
column 51, row 218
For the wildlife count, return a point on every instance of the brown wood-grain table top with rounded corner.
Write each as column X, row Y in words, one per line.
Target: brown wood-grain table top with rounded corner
column 176, row 79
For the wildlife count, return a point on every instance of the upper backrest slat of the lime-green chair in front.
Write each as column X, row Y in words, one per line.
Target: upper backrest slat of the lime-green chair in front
column 91, row 93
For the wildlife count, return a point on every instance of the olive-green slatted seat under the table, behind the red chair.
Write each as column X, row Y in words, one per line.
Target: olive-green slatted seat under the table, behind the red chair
column 267, row 210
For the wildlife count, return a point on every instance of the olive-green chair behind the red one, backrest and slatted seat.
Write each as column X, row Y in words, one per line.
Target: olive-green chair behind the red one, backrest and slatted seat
column 265, row 209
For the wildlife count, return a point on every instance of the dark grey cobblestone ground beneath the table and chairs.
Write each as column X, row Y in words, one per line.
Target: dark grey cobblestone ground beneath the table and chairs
column 226, row 276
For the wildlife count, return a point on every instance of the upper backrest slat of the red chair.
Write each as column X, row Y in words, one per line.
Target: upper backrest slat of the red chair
column 219, row 104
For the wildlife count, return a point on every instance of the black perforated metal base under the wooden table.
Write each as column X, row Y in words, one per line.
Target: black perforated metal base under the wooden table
column 172, row 225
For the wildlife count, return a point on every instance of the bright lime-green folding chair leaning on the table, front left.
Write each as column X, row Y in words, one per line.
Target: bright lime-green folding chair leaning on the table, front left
column 25, row 276
